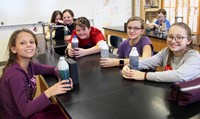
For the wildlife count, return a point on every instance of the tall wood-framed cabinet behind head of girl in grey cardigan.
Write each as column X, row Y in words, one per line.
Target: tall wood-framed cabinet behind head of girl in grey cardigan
column 186, row 11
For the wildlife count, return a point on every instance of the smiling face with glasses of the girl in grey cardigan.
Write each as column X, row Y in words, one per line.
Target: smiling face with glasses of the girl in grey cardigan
column 178, row 48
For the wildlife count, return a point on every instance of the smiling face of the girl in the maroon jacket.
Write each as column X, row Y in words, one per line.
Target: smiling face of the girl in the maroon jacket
column 25, row 46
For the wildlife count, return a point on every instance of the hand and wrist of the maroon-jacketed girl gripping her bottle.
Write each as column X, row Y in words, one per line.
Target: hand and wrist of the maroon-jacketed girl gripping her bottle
column 59, row 88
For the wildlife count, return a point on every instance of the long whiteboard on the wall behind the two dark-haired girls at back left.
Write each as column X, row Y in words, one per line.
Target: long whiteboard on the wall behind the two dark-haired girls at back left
column 13, row 12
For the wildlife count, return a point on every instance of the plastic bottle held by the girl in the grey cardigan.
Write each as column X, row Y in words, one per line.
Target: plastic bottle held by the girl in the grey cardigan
column 134, row 58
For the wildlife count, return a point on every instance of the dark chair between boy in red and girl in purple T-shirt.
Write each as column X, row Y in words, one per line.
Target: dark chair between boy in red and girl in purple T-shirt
column 115, row 42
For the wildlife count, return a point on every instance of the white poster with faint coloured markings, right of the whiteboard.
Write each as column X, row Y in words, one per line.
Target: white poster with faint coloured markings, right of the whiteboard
column 113, row 12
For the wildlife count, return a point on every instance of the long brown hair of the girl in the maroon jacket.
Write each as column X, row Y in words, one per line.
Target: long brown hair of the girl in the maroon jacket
column 12, row 42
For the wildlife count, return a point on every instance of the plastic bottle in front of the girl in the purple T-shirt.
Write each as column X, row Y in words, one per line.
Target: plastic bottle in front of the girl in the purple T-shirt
column 104, row 50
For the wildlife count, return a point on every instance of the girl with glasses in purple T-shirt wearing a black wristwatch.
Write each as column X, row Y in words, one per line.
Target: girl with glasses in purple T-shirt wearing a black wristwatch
column 135, row 29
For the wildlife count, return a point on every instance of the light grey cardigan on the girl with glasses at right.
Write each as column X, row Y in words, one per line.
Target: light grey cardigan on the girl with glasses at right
column 184, row 68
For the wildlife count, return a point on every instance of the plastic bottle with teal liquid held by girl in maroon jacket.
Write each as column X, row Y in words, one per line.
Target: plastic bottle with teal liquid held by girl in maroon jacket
column 63, row 69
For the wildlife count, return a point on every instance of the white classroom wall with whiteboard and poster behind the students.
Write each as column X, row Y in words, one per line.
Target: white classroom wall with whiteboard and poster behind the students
column 24, row 13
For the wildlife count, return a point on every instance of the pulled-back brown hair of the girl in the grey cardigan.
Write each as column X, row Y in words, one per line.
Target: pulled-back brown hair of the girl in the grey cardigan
column 189, row 37
